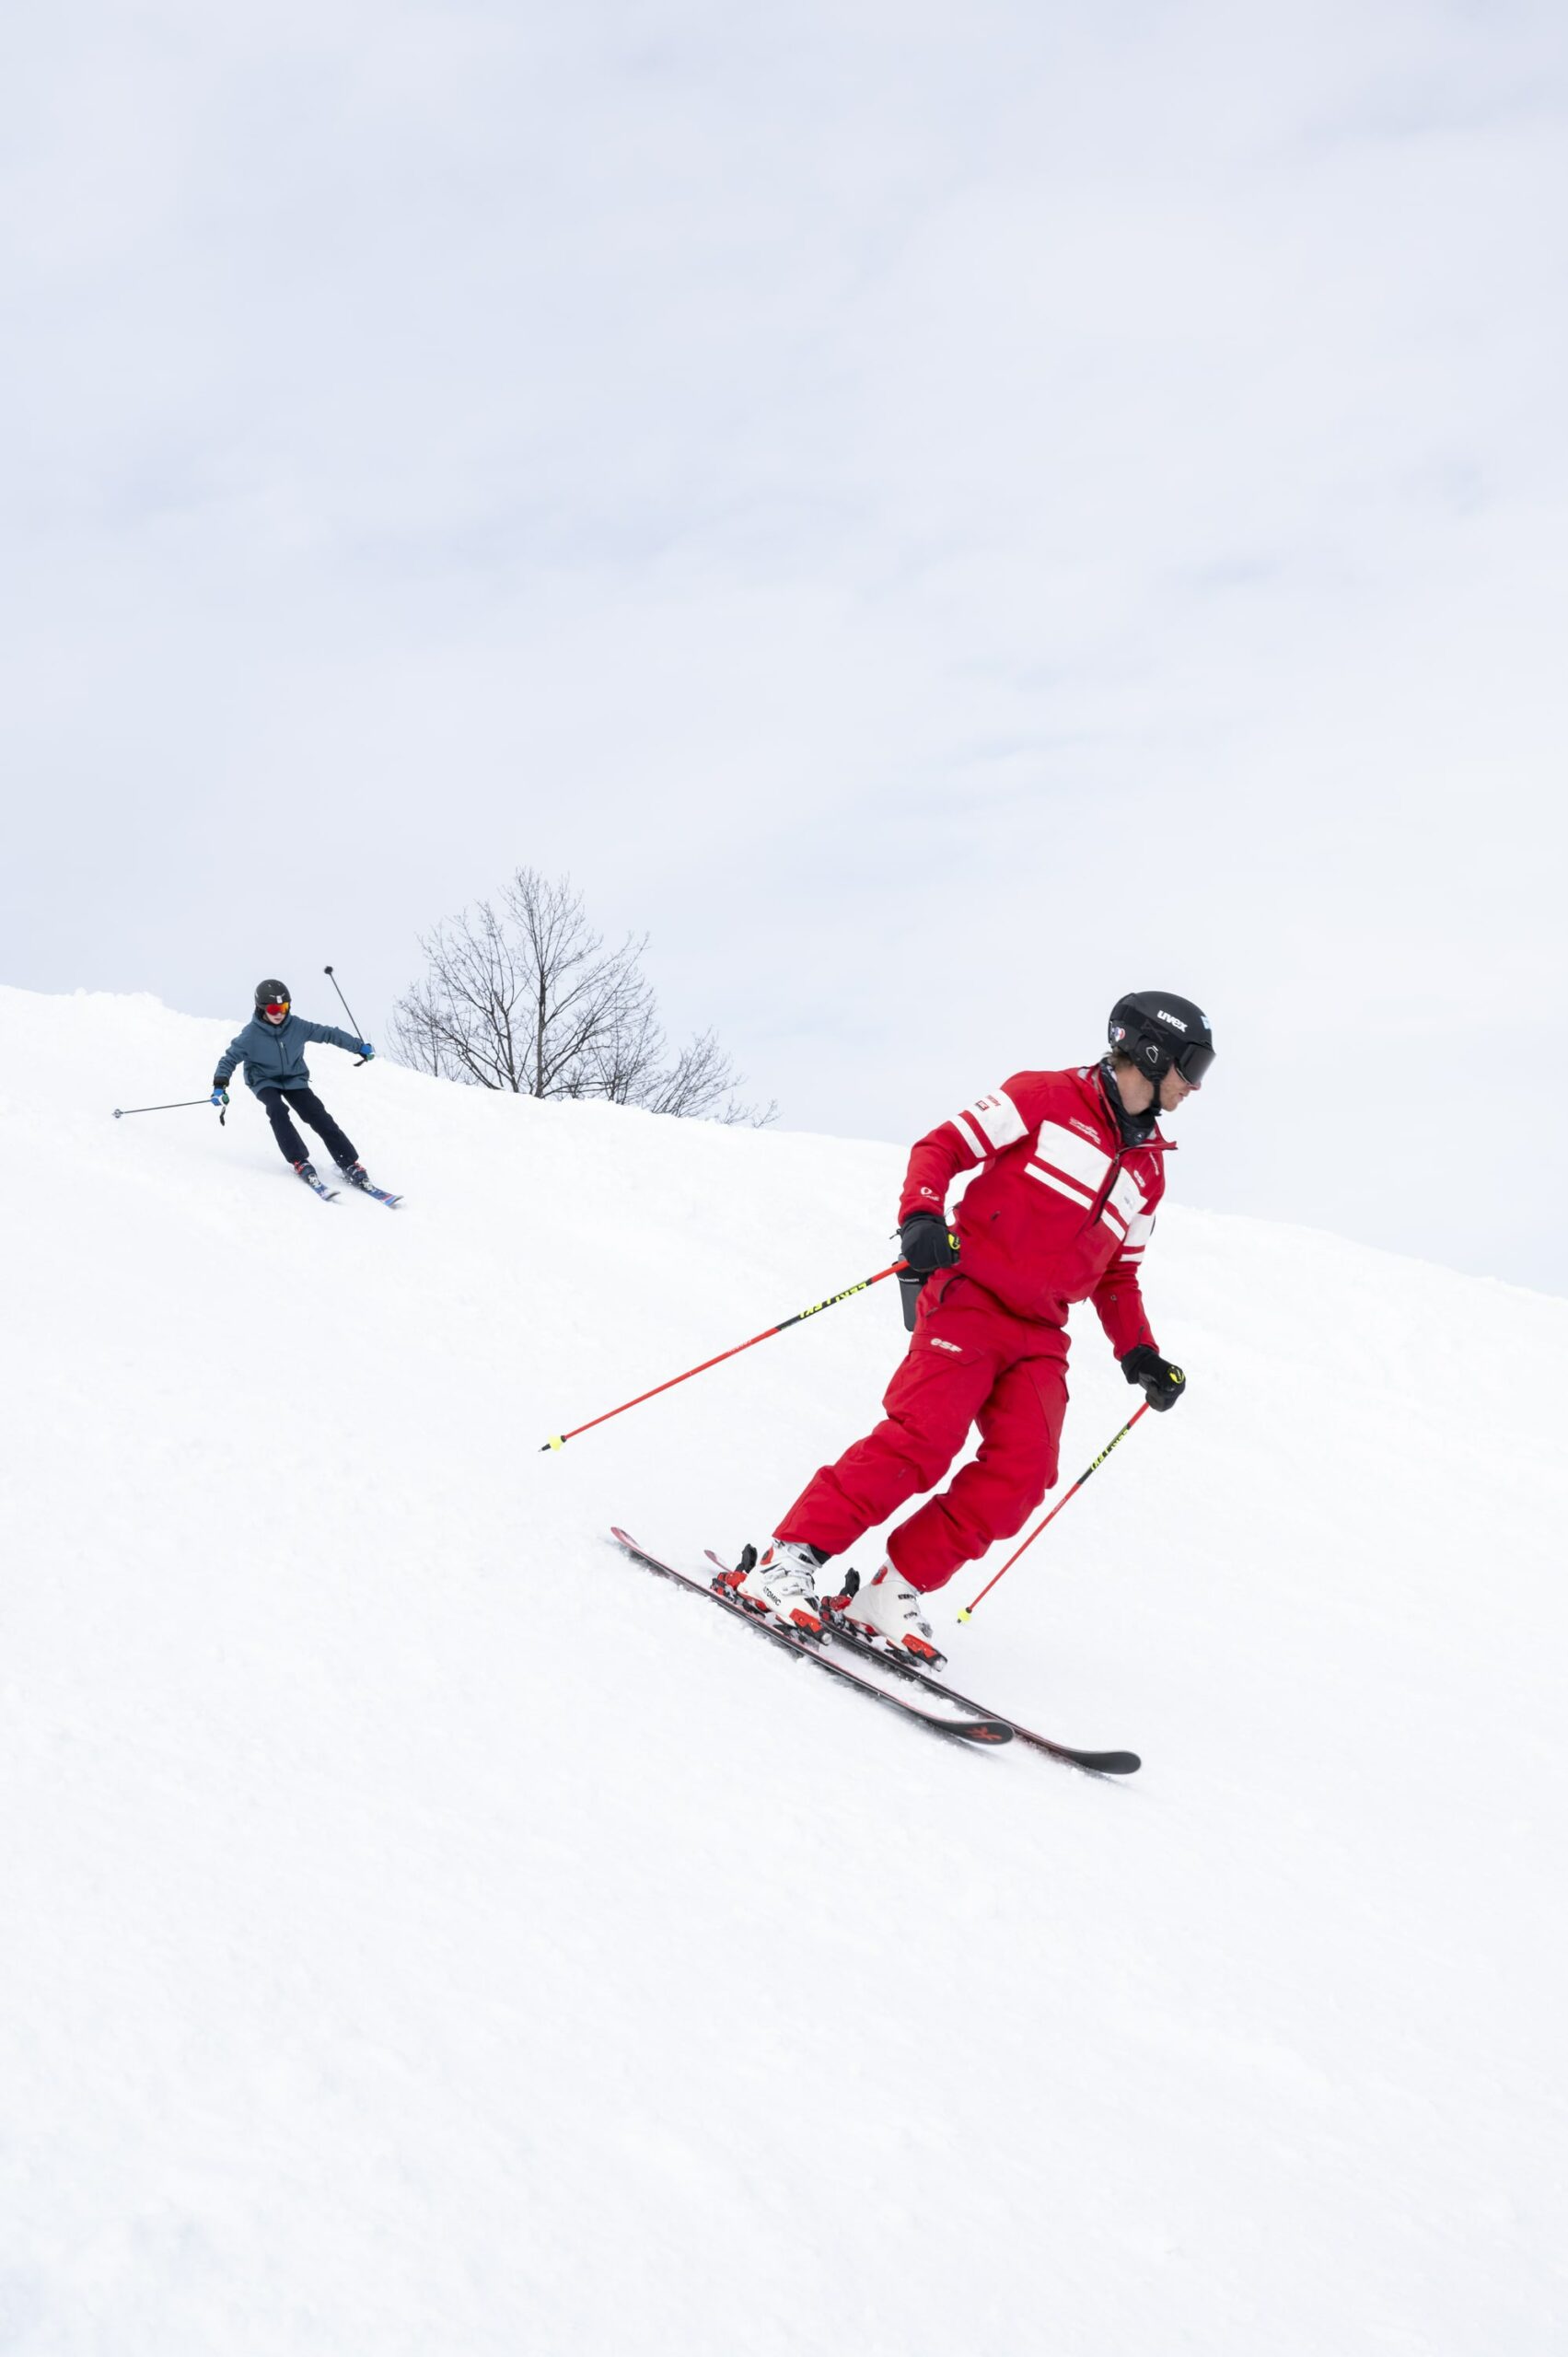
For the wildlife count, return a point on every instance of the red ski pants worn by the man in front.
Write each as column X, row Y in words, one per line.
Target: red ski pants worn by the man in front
column 970, row 1364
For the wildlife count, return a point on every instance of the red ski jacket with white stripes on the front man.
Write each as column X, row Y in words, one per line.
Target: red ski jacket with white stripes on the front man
column 1062, row 1210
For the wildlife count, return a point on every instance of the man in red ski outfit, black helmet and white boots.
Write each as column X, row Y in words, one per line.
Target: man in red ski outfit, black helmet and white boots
column 1072, row 1177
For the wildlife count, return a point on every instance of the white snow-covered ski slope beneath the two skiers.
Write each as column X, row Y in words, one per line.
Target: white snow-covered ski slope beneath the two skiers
column 426, row 1934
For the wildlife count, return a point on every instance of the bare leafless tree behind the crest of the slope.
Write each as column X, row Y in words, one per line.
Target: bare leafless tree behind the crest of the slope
column 527, row 998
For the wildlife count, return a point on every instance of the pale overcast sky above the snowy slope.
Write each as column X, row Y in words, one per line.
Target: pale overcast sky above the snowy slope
column 935, row 513
